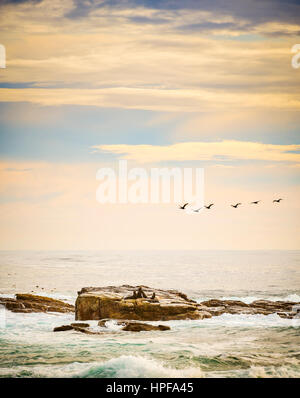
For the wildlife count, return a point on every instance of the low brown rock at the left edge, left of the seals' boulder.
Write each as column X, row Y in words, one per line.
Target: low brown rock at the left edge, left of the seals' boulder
column 31, row 303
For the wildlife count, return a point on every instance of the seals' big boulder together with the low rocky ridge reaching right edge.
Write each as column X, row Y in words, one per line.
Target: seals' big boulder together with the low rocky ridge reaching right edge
column 129, row 303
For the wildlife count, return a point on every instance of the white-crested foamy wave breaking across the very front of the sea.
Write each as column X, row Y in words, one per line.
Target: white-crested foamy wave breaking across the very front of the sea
column 138, row 367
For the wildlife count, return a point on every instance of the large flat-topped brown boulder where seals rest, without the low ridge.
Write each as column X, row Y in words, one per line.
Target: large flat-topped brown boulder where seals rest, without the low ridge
column 117, row 302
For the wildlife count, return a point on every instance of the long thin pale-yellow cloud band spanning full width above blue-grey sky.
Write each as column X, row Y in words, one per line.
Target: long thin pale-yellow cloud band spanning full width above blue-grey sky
column 151, row 99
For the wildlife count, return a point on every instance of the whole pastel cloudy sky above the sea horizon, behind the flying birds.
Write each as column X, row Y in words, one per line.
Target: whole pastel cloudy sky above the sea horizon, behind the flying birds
column 169, row 83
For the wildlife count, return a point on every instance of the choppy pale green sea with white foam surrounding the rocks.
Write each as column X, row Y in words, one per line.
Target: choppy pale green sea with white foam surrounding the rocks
column 223, row 346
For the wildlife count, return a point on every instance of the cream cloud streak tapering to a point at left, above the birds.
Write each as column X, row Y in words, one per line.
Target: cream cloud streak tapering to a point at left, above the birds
column 204, row 151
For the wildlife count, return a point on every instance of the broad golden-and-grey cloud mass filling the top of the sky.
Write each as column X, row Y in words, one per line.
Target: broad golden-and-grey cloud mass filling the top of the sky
column 151, row 55
